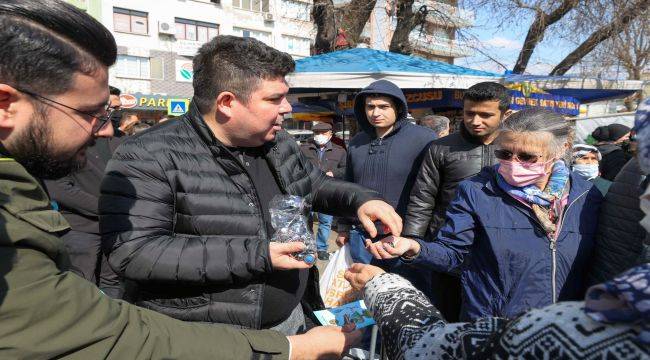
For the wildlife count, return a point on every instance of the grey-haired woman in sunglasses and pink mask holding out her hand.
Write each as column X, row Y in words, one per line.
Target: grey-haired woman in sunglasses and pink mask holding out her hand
column 520, row 232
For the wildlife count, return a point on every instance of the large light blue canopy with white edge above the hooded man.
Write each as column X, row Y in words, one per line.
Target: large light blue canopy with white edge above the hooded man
column 357, row 68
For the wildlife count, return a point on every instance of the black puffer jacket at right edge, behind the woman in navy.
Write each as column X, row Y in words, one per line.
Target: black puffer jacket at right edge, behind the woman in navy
column 620, row 237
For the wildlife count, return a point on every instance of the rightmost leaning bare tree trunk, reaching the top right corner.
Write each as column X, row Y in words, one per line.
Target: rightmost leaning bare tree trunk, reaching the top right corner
column 600, row 35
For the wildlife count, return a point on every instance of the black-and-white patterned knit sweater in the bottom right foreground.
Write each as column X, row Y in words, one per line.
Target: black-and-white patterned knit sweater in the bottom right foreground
column 412, row 328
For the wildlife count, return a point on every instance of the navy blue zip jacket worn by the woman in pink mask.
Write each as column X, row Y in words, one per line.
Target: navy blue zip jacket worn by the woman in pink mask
column 505, row 256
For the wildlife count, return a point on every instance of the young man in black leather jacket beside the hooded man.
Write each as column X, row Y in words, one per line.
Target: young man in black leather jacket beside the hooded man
column 449, row 161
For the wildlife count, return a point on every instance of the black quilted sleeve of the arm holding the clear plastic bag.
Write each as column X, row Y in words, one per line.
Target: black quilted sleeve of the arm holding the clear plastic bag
column 137, row 215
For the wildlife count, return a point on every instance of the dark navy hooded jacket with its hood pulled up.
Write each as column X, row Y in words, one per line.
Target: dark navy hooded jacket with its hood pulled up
column 387, row 165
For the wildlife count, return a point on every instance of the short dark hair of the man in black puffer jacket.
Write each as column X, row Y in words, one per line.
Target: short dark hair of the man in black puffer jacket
column 234, row 64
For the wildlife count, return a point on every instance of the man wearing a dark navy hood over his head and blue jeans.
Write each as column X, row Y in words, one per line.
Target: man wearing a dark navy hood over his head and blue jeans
column 384, row 156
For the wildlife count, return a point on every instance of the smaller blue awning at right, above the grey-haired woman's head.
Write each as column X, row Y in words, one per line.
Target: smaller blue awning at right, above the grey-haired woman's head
column 585, row 90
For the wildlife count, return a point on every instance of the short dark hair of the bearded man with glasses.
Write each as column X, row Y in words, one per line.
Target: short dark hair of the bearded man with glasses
column 44, row 42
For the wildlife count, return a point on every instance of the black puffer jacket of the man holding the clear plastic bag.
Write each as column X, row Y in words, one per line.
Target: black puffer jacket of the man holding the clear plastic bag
column 181, row 219
